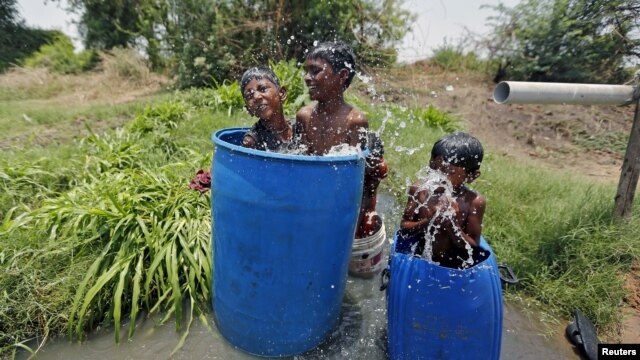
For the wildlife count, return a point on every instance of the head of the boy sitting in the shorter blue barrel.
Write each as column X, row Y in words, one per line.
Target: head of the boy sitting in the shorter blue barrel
column 459, row 156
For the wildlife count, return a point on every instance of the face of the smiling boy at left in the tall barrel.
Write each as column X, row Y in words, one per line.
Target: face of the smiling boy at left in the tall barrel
column 263, row 99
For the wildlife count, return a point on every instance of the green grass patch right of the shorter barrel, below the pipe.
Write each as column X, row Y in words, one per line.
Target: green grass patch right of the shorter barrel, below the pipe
column 558, row 234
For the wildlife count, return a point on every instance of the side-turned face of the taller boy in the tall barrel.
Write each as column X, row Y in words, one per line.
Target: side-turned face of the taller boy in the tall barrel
column 322, row 81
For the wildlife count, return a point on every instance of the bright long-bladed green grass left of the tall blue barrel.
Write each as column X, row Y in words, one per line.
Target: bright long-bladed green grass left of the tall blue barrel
column 126, row 235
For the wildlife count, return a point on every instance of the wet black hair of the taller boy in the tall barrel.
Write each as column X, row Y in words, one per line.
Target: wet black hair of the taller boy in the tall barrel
column 338, row 56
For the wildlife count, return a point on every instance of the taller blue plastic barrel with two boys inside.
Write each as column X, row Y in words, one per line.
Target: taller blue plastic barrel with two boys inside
column 283, row 226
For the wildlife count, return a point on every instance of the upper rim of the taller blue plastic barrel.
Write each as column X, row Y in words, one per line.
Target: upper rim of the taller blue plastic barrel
column 215, row 137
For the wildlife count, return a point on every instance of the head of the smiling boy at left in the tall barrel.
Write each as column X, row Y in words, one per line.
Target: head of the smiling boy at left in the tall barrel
column 263, row 96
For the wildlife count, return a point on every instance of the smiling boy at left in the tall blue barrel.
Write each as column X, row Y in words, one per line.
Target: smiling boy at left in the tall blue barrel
column 264, row 96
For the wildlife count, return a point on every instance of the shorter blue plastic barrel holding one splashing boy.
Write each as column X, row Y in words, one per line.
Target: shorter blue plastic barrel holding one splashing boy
column 436, row 312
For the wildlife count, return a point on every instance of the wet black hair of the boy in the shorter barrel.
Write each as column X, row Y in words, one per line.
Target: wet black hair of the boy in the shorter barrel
column 459, row 149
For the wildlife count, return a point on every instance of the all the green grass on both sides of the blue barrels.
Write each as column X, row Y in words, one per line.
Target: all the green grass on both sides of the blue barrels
column 97, row 229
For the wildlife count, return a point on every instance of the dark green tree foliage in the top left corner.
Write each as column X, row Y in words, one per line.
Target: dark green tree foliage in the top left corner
column 16, row 40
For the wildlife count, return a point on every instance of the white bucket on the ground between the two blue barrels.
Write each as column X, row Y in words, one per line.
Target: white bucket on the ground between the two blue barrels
column 367, row 253
